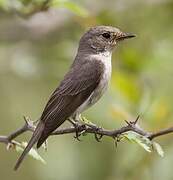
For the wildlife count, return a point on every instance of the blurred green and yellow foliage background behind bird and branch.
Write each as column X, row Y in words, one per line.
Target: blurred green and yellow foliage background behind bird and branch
column 38, row 42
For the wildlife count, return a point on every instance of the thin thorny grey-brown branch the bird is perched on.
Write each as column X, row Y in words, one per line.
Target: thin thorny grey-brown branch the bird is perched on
column 81, row 128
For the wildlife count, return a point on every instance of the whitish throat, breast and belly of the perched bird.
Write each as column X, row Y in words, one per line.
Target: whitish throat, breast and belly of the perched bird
column 102, row 86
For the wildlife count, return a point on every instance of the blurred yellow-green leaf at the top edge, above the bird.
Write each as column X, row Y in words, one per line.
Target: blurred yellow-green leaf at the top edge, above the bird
column 73, row 7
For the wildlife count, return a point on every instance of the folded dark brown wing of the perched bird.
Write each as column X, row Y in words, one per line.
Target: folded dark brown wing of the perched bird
column 76, row 87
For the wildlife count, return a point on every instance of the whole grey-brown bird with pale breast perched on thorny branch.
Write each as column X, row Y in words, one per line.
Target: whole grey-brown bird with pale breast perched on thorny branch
column 83, row 85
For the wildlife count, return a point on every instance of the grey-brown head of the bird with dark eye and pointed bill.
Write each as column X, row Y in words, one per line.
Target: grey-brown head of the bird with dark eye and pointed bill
column 102, row 38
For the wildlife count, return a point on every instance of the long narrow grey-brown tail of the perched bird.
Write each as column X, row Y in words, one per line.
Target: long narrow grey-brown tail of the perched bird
column 33, row 140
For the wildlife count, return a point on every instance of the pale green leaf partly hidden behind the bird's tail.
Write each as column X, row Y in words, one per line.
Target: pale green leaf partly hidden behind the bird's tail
column 19, row 147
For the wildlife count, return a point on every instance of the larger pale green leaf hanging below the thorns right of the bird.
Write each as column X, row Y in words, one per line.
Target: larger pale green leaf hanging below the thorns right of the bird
column 143, row 141
